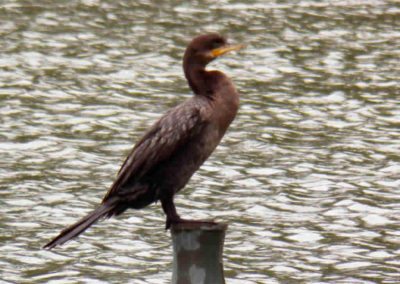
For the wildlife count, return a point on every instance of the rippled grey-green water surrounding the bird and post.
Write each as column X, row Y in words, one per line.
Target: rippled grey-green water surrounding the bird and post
column 307, row 177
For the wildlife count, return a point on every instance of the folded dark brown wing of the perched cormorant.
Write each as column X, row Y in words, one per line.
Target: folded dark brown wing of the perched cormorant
column 163, row 139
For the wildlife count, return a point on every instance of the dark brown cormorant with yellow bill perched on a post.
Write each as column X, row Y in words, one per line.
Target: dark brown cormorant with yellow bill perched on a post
column 162, row 162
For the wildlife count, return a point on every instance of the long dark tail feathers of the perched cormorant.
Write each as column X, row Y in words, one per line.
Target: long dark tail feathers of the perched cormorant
column 104, row 210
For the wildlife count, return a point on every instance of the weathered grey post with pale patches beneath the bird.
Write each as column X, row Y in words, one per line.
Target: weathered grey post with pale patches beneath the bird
column 198, row 251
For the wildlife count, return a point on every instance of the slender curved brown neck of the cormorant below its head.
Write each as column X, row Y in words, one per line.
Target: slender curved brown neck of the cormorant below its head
column 199, row 80
